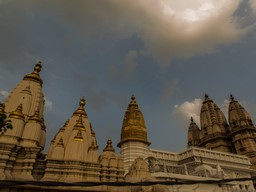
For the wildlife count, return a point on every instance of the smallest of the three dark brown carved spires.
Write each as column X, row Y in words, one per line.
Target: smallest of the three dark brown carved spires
column 193, row 134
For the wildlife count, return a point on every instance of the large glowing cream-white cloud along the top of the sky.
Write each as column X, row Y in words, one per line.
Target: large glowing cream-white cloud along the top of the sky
column 169, row 28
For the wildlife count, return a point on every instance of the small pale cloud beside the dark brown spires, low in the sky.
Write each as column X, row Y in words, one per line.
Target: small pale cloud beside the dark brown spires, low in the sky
column 186, row 110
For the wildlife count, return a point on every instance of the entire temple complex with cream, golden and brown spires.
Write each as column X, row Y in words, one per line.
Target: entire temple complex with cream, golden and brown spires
column 220, row 151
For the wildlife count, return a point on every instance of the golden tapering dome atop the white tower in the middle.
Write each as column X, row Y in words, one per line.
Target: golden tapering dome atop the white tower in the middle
column 134, row 128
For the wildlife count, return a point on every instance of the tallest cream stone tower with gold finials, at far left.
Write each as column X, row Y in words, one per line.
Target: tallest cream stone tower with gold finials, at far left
column 21, row 147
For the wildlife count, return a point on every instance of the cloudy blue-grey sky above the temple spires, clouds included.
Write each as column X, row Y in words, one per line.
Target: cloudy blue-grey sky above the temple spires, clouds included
column 168, row 53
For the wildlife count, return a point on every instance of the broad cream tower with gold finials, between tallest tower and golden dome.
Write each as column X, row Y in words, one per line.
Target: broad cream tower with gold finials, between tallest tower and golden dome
column 74, row 146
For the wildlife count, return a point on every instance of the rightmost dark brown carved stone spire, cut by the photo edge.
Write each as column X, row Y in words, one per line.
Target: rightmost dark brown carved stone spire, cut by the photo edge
column 243, row 132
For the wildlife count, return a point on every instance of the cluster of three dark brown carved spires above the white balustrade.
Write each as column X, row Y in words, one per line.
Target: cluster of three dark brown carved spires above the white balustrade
column 238, row 136
